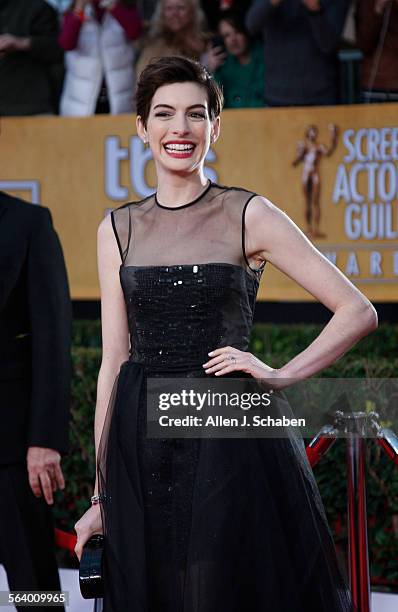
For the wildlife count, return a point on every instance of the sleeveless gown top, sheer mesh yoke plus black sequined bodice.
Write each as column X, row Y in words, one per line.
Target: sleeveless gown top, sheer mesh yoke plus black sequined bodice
column 187, row 283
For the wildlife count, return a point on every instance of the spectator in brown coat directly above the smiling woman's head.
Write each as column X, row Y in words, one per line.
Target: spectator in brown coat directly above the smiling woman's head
column 176, row 28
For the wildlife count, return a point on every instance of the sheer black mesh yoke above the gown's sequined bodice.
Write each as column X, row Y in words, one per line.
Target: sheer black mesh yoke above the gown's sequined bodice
column 209, row 229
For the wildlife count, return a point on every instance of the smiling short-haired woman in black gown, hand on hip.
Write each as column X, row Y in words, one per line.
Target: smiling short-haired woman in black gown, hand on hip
column 194, row 524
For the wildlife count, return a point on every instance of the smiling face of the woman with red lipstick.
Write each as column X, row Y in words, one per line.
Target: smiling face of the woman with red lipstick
column 179, row 129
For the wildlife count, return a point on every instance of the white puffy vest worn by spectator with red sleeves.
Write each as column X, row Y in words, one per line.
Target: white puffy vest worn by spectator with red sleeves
column 102, row 50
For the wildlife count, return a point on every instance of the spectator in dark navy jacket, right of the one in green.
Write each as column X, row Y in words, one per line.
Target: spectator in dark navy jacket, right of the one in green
column 301, row 39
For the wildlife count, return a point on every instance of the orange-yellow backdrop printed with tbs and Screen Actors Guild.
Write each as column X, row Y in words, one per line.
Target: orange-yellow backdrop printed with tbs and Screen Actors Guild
column 337, row 165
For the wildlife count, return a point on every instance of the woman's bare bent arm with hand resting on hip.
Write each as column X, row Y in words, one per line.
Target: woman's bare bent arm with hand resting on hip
column 271, row 235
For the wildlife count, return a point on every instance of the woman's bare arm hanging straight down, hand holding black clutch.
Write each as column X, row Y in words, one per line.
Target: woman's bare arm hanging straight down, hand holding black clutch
column 115, row 350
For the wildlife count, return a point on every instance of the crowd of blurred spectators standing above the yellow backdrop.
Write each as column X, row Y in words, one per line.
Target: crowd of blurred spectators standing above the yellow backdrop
column 82, row 57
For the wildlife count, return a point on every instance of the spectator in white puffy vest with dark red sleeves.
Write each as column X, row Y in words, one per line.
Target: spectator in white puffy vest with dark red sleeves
column 97, row 37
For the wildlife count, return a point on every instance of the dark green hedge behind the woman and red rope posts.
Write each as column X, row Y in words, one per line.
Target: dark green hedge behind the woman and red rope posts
column 375, row 356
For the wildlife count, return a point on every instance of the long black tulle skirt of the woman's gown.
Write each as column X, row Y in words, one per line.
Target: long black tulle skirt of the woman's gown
column 210, row 525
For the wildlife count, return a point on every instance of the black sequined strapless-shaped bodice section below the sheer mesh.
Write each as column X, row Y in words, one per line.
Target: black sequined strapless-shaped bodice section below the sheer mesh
column 177, row 314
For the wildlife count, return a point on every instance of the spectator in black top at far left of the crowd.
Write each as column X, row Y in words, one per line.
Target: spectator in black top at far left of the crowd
column 28, row 48
